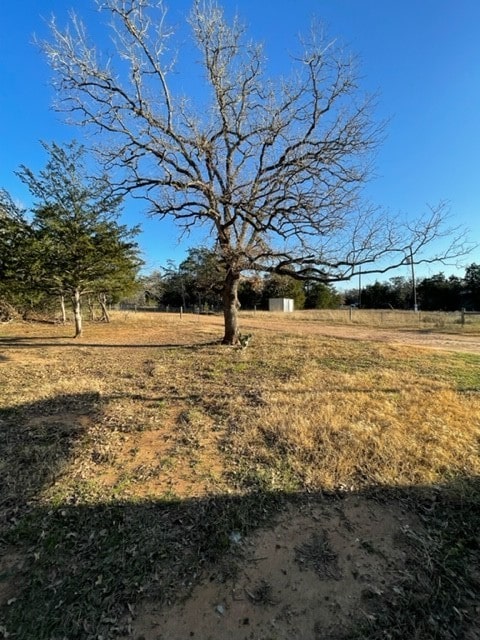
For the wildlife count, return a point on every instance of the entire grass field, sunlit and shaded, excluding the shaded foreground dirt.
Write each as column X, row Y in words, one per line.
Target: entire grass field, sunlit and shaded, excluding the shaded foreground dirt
column 130, row 456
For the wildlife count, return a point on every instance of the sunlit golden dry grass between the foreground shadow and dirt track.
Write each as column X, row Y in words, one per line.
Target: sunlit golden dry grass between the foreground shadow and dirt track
column 157, row 406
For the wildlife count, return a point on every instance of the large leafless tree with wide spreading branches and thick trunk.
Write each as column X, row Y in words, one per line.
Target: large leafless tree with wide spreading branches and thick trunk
column 272, row 169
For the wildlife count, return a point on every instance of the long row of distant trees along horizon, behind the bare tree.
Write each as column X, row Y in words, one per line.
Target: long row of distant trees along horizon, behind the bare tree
column 196, row 284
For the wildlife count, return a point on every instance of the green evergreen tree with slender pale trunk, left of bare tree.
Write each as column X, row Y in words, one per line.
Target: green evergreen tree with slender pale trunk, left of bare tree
column 73, row 244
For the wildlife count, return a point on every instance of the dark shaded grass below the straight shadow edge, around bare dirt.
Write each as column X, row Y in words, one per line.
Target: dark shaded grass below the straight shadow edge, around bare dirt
column 89, row 567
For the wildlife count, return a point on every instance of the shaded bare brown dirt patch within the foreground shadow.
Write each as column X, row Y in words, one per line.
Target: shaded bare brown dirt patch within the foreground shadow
column 316, row 573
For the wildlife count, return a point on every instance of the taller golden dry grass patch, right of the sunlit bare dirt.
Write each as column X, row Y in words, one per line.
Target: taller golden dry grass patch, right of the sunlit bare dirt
column 351, row 414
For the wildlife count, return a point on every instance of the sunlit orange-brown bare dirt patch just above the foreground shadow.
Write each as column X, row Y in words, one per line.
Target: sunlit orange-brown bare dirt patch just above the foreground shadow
column 175, row 458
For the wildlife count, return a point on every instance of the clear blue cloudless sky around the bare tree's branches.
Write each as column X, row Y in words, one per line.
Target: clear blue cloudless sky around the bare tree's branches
column 422, row 56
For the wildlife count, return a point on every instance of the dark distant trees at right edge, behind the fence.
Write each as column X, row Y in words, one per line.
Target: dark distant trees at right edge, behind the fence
column 435, row 293
